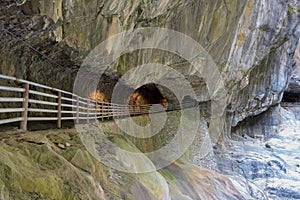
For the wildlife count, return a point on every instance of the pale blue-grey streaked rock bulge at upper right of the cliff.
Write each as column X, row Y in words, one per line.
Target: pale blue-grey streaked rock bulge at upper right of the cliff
column 262, row 57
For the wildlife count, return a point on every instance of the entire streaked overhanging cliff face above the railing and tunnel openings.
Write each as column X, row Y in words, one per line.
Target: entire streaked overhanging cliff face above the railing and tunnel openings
column 252, row 42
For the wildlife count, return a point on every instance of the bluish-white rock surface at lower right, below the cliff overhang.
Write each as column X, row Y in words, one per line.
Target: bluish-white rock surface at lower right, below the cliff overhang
column 271, row 163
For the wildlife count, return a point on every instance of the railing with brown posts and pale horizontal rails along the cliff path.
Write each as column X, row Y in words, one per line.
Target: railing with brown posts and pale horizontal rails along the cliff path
column 60, row 105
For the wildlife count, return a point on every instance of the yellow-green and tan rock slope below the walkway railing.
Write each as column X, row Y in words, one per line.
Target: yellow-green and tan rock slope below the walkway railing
column 54, row 164
